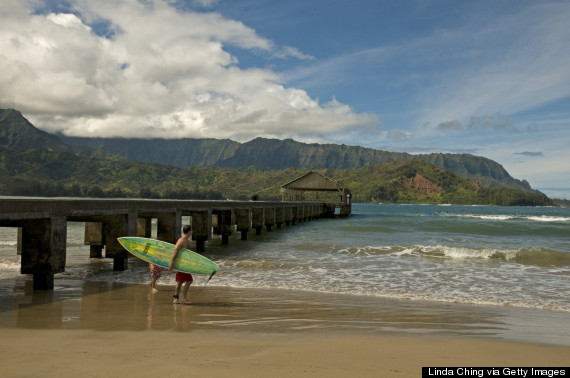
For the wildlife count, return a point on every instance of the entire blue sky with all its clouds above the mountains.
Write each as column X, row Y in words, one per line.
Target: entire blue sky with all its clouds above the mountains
column 486, row 77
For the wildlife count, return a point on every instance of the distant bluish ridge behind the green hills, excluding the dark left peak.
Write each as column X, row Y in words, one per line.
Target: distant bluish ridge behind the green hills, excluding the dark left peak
column 281, row 154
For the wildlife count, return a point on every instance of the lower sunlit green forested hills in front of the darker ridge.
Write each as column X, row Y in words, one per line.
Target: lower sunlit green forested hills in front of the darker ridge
column 49, row 173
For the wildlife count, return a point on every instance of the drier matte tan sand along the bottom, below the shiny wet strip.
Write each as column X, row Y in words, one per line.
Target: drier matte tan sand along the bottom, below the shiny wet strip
column 87, row 353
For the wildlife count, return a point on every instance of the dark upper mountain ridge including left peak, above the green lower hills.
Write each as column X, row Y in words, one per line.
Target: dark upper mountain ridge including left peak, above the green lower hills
column 17, row 133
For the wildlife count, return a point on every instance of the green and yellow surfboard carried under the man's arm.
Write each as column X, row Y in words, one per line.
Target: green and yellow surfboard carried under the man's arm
column 160, row 253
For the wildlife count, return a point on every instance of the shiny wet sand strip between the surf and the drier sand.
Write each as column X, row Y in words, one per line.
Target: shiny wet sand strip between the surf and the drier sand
column 108, row 306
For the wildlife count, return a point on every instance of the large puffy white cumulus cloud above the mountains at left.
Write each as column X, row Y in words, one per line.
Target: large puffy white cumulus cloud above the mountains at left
column 146, row 69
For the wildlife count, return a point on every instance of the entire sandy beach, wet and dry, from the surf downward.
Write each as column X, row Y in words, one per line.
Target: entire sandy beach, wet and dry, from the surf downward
column 105, row 330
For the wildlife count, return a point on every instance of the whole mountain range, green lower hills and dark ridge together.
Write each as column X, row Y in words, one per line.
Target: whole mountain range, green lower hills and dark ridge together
column 33, row 162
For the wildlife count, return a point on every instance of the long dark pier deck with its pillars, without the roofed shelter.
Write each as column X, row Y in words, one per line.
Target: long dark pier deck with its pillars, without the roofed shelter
column 42, row 224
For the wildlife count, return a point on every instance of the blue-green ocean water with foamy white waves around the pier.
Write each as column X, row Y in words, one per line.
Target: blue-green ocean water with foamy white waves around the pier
column 499, row 256
